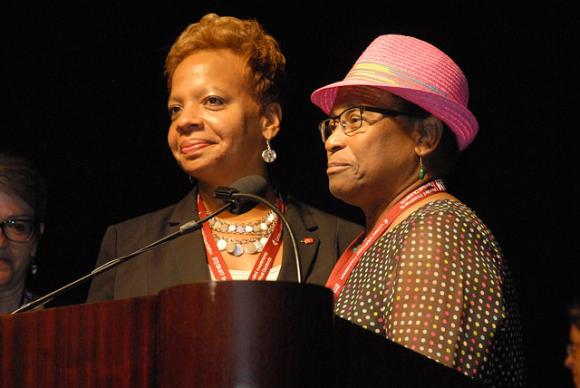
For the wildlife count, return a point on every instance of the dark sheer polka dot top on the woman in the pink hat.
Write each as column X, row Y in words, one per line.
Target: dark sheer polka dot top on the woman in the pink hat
column 437, row 284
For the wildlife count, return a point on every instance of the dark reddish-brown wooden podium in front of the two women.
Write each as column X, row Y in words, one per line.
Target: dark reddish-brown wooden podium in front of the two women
column 215, row 334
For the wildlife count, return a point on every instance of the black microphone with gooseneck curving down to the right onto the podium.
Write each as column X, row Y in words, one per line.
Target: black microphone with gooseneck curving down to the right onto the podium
column 238, row 201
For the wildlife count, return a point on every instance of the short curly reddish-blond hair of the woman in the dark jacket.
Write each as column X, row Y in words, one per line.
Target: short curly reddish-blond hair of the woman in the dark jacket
column 246, row 38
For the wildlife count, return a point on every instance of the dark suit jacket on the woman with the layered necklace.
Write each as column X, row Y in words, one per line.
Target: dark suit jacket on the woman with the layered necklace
column 184, row 261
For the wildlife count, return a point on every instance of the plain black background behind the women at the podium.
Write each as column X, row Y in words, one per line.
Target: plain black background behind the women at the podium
column 84, row 97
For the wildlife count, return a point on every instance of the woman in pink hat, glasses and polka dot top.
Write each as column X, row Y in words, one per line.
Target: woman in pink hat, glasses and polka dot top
column 427, row 273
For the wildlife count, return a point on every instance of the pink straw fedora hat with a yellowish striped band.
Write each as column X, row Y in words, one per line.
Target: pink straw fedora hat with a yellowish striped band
column 416, row 71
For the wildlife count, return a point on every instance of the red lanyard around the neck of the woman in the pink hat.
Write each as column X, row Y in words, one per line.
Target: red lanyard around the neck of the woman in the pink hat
column 350, row 258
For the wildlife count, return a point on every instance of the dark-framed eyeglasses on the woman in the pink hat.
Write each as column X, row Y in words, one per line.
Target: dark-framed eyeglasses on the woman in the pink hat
column 352, row 119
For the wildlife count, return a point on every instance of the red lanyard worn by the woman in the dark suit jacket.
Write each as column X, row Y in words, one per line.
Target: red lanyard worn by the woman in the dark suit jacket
column 217, row 263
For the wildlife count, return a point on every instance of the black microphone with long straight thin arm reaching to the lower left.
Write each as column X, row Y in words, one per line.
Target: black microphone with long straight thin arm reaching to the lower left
column 251, row 186
